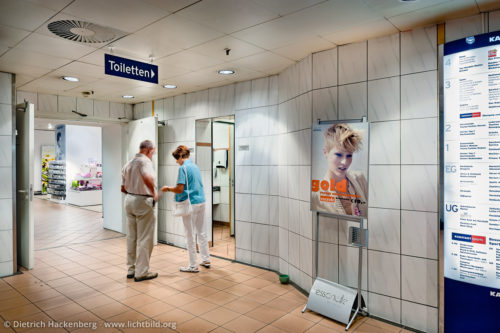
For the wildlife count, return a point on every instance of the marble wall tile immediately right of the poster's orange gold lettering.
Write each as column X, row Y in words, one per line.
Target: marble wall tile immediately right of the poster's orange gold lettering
column 384, row 186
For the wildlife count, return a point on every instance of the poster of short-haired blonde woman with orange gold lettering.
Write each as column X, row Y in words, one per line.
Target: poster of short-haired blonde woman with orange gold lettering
column 339, row 170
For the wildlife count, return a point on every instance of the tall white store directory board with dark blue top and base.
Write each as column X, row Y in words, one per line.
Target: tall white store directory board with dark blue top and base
column 471, row 82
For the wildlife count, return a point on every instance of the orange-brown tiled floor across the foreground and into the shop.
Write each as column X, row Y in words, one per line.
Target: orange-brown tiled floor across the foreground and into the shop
column 86, row 284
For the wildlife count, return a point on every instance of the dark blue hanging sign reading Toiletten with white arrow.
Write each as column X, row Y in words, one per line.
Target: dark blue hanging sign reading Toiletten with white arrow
column 130, row 69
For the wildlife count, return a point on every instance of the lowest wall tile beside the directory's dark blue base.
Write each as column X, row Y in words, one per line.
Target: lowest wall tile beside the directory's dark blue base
column 420, row 317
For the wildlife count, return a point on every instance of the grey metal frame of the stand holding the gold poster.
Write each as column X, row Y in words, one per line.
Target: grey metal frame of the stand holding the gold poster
column 359, row 299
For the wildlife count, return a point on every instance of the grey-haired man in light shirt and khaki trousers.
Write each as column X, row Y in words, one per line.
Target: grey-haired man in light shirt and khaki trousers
column 138, row 183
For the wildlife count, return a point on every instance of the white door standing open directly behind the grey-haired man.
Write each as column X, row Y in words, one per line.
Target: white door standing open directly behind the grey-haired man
column 136, row 132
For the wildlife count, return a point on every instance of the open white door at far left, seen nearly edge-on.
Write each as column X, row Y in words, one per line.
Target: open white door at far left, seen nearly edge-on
column 24, row 184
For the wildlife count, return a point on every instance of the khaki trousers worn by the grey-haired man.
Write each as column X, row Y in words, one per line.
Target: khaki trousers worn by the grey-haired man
column 140, row 233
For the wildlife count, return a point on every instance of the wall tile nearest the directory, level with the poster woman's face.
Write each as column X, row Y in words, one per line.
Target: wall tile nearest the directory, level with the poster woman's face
column 419, row 141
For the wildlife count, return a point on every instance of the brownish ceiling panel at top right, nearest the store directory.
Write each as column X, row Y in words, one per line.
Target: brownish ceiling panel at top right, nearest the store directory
column 434, row 14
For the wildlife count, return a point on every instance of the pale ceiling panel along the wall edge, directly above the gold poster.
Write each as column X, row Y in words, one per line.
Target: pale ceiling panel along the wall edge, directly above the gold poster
column 362, row 32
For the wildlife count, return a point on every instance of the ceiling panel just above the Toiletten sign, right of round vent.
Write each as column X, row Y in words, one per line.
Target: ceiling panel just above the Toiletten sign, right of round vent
column 165, row 37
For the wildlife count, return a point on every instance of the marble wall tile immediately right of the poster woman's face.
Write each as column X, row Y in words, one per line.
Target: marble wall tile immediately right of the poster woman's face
column 385, row 143
